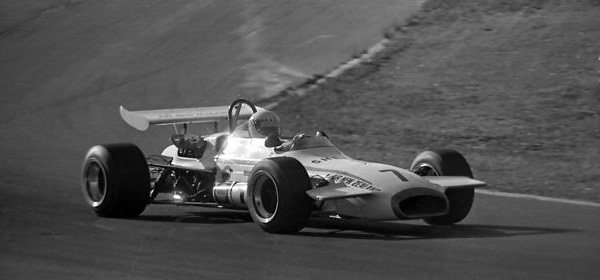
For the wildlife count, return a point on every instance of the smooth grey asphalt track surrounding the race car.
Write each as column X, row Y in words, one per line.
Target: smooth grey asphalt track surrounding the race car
column 63, row 75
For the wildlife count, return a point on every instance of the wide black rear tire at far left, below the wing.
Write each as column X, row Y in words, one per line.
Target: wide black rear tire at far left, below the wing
column 116, row 181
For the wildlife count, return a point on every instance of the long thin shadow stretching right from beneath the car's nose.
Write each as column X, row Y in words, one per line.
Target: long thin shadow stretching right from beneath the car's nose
column 364, row 229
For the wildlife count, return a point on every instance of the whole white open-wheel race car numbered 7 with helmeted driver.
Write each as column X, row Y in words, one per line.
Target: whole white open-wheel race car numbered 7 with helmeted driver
column 281, row 181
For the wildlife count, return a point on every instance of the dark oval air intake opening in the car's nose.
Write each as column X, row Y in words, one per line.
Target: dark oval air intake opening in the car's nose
column 417, row 203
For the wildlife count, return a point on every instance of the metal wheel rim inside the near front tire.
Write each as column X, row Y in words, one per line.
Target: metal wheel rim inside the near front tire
column 265, row 198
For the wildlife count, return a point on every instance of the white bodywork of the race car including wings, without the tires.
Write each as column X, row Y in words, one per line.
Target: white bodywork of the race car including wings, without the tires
column 353, row 188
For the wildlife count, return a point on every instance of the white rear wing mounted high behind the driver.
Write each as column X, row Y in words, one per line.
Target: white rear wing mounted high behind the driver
column 141, row 120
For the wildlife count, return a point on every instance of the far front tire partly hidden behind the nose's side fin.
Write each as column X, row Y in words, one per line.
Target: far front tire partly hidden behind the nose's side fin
column 447, row 163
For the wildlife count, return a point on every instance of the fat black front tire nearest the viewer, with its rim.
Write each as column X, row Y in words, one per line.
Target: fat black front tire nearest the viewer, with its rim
column 277, row 197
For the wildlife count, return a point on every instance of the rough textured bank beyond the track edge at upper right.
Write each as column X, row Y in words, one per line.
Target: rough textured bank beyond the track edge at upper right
column 513, row 85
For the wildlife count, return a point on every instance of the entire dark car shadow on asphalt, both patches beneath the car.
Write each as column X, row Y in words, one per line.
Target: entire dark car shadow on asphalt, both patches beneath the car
column 365, row 229
